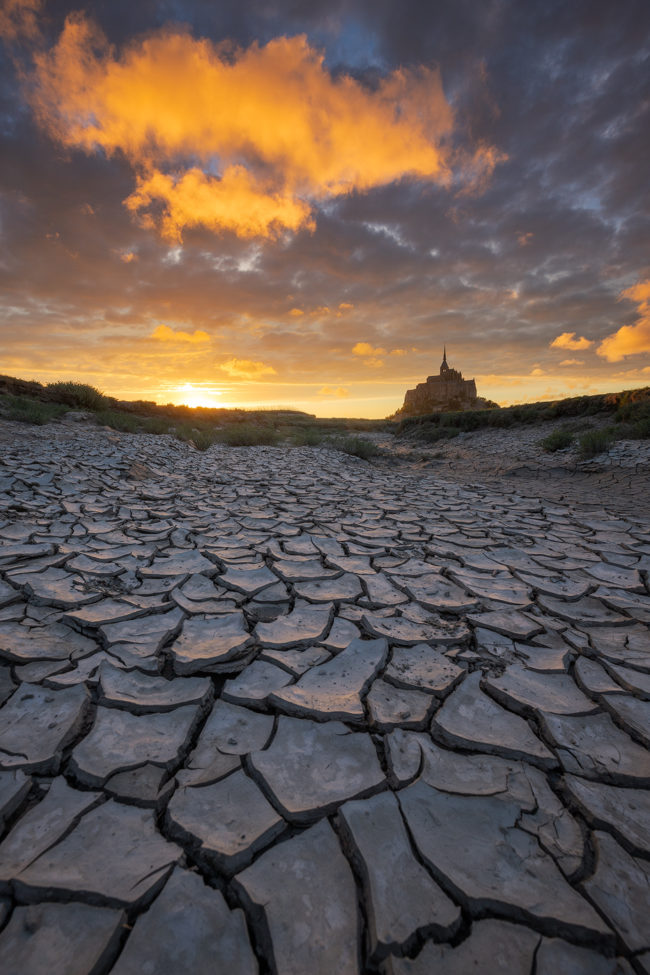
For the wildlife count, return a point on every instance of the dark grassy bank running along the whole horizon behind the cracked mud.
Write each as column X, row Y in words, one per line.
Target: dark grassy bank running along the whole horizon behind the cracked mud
column 617, row 416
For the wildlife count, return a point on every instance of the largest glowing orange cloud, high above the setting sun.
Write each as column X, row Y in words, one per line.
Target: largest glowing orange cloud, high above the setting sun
column 285, row 131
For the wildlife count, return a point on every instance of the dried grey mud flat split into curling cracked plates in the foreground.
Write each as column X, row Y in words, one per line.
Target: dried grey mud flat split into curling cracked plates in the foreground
column 283, row 711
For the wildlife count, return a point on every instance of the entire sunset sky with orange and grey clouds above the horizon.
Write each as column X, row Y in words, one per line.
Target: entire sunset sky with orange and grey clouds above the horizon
column 292, row 204
